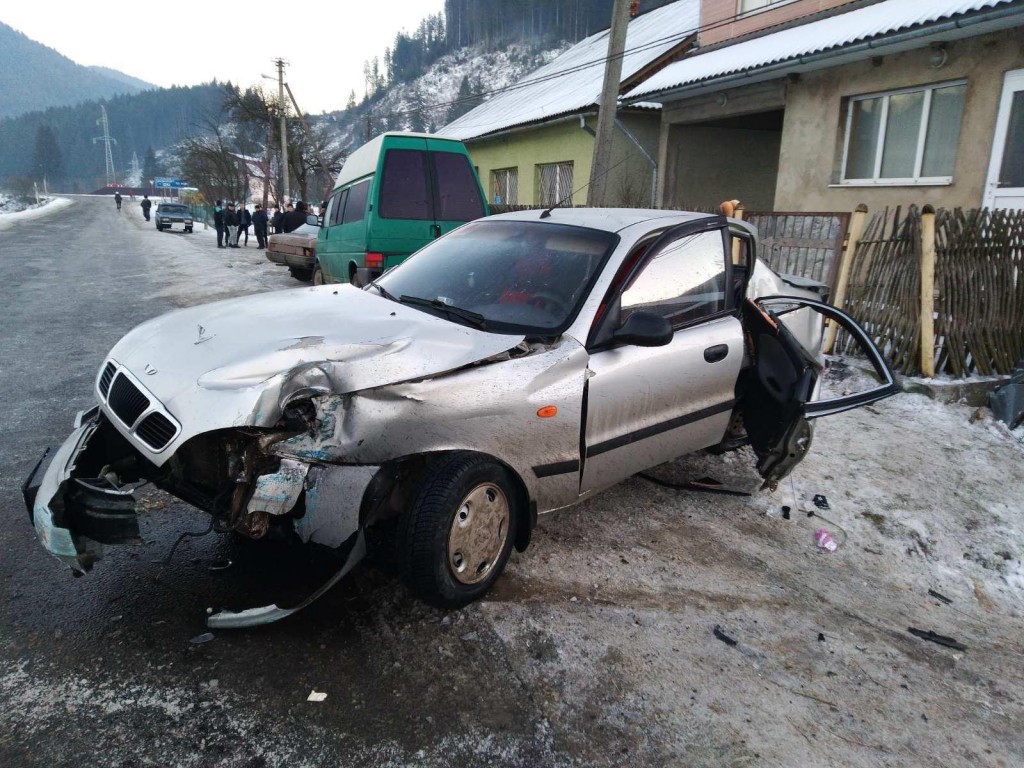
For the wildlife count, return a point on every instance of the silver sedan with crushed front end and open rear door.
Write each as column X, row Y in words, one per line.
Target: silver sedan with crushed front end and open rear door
column 515, row 367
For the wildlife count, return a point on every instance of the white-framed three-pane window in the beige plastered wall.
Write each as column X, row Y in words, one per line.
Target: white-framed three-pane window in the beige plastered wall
column 904, row 138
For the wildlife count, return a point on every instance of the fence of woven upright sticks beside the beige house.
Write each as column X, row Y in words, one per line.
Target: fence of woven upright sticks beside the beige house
column 978, row 313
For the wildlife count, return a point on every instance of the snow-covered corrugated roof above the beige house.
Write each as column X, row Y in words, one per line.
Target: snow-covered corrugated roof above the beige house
column 825, row 35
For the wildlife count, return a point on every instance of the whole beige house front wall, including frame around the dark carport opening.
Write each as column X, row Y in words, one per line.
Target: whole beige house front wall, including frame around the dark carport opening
column 814, row 133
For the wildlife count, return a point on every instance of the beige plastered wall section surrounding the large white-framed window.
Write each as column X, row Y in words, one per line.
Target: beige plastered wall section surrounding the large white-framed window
column 814, row 136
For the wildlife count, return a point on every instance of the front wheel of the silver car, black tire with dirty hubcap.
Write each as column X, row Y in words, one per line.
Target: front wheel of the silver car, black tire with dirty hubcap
column 455, row 540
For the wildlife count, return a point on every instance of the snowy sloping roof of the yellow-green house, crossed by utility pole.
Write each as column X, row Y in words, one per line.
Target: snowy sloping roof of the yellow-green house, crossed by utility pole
column 573, row 82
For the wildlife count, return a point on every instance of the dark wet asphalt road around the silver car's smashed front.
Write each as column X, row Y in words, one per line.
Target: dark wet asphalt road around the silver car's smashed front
column 106, row 664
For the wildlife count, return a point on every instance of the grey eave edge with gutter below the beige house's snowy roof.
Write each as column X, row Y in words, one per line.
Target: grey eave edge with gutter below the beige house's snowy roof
column 996, row 20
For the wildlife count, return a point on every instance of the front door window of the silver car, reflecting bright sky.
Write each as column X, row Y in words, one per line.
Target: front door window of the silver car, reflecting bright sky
column 684, row 281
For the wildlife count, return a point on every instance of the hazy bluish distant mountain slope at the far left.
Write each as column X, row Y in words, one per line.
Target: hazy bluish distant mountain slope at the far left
column 35, row 77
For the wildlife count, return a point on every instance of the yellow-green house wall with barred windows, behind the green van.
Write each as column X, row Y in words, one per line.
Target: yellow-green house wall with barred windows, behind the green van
column 567, row 142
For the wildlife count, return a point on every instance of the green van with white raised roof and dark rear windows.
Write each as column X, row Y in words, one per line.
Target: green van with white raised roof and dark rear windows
column 395, row 195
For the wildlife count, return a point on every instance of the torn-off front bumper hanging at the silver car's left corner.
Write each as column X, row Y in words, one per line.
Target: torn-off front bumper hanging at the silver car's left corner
column 74, row 508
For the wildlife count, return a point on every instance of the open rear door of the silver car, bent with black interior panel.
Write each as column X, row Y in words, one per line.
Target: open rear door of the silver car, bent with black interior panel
column 783, row 392
